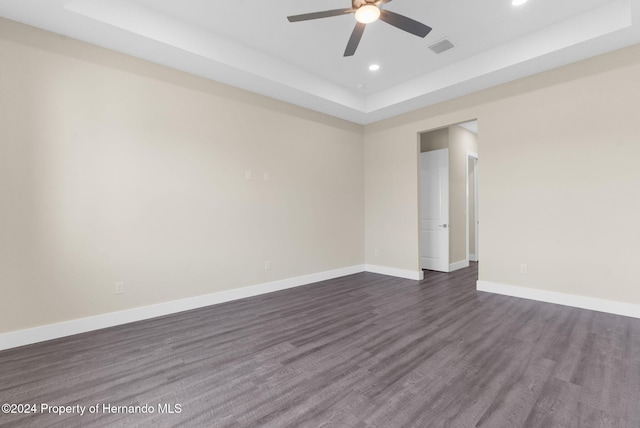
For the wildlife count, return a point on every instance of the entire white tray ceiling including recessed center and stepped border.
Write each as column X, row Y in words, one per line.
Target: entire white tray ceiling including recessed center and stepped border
column 250, row 44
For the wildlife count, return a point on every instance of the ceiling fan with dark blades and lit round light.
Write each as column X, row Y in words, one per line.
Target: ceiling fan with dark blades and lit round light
column 367, row 11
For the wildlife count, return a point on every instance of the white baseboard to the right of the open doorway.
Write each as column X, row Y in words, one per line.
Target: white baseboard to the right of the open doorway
column 592, row 303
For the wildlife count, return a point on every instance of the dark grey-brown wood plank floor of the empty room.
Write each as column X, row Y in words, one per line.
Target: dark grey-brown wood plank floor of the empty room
column 365, row 350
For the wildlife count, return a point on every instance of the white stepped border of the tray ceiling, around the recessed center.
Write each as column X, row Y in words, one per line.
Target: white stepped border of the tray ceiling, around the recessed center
column 162, row 39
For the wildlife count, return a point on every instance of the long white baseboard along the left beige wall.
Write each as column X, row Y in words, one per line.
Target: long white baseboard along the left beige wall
column 83, row 325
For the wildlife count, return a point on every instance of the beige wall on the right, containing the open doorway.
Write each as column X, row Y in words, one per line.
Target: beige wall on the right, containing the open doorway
column 557, row 183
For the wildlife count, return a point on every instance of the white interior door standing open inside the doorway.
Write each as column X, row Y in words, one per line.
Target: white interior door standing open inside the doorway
column 434, row 210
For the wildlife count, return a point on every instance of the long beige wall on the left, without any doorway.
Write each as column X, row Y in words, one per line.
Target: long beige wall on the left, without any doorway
column 115, row 169
